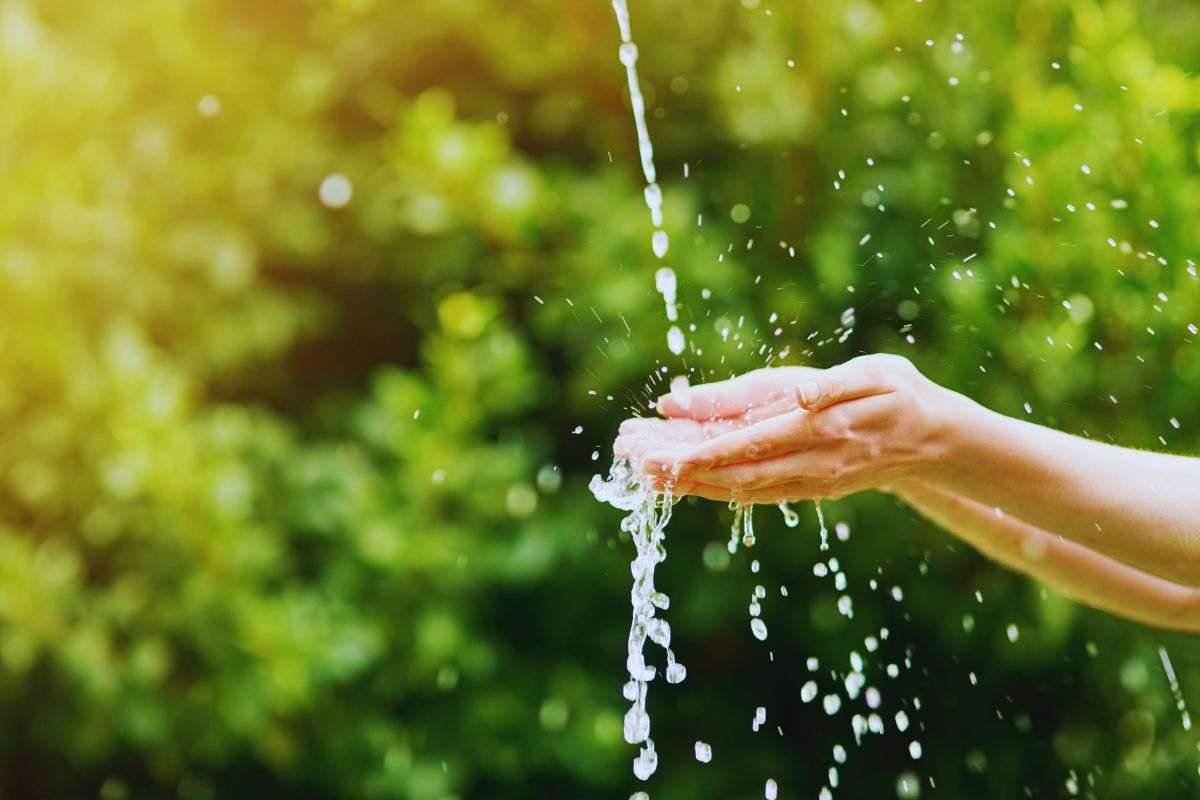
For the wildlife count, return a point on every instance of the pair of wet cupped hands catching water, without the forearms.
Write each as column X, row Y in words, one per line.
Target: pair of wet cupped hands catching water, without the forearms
column 793, row 434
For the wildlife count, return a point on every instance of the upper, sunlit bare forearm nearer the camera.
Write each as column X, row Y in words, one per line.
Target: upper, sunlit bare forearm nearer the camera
column 1138, row 508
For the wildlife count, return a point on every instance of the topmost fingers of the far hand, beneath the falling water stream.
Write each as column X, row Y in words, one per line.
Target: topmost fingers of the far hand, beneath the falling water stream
column 737, row 396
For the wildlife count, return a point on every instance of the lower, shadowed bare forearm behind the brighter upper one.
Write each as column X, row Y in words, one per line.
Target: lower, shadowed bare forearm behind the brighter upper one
column 1070, row 568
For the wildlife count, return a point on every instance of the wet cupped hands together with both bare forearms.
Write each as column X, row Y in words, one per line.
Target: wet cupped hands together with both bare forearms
column 1111, row 527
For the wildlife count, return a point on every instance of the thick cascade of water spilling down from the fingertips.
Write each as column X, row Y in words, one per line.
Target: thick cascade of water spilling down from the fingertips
column 646, row 522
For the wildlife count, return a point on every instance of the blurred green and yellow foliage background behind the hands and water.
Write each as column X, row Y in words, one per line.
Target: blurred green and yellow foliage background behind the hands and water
column 302, row 306
